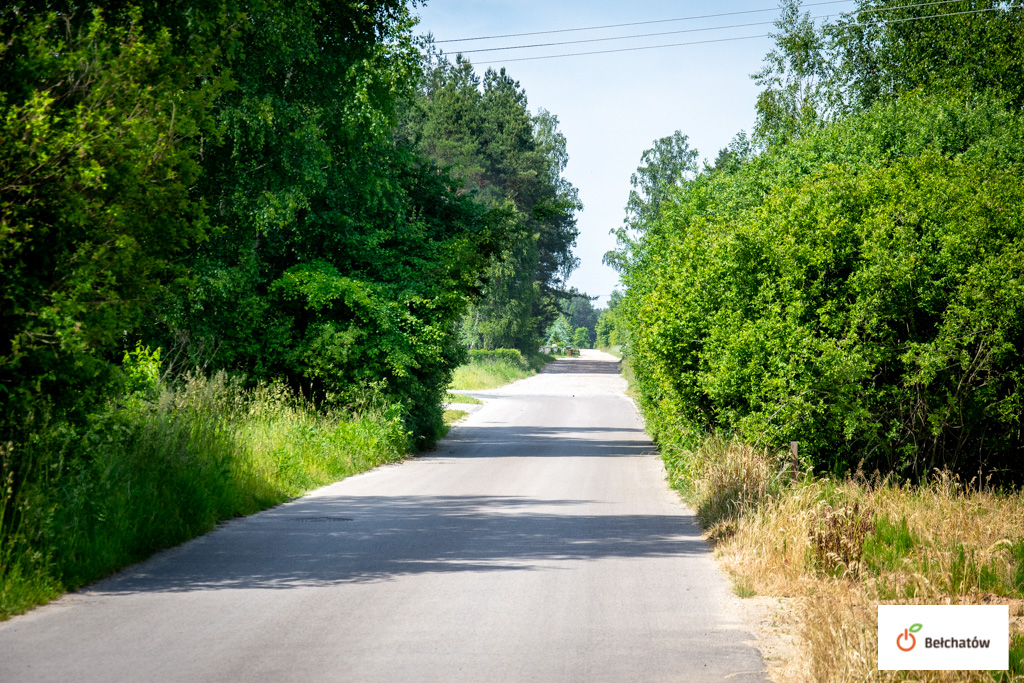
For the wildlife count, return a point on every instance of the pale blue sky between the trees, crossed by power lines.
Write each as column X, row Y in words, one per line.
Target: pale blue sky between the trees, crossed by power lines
column 613, row 107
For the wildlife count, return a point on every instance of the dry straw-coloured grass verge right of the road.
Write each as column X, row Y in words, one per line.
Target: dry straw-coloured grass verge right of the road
column 840, row 548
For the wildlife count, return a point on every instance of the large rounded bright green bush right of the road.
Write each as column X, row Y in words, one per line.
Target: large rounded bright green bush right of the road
column 857, row 291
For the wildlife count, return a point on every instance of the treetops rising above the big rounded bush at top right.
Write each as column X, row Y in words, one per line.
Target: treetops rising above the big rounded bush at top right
column 881, row 51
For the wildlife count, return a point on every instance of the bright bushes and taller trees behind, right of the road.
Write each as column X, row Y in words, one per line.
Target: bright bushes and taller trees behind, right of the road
column 850, row 277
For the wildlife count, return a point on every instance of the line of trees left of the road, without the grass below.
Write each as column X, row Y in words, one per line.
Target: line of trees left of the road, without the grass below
column 289, row 192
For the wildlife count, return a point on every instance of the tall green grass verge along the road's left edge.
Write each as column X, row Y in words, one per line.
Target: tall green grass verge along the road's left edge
column 162, row 466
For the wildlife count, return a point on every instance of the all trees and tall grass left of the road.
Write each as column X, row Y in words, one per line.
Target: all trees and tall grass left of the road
column 243, row 248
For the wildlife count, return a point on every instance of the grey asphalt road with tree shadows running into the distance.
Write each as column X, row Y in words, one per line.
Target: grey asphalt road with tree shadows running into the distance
column 539, row 543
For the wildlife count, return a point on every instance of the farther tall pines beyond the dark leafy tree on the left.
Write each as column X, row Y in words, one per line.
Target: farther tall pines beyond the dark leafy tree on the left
column 511, row 161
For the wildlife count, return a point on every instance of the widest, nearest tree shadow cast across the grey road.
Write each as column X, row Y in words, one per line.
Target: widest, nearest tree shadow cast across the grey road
column 328, row 541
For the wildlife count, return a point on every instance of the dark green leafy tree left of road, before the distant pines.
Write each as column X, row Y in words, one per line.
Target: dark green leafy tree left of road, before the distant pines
column 347, row 259
